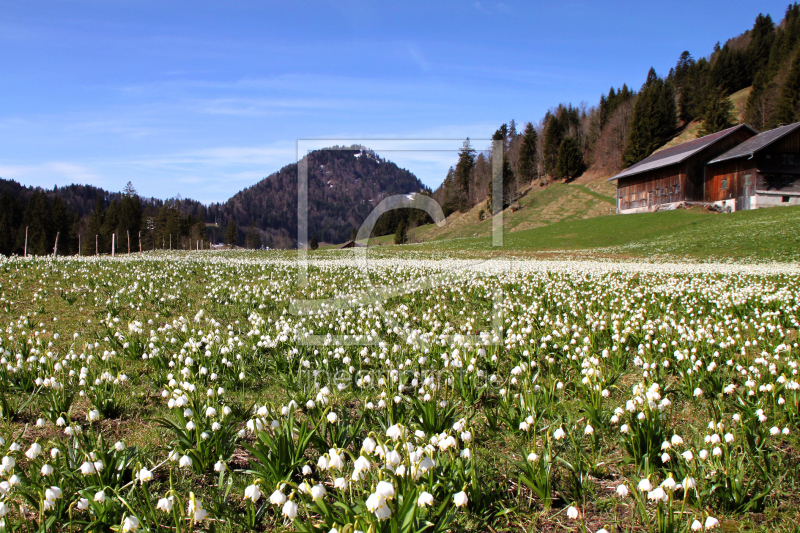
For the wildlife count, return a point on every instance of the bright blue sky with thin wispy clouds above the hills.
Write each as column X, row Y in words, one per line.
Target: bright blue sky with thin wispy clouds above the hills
column 205, row 98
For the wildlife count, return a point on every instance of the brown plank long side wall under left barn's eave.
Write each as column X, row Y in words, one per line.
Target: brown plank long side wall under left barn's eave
column 661, row 186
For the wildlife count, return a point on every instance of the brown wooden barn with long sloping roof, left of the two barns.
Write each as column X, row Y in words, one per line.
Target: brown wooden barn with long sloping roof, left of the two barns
column 675, row 174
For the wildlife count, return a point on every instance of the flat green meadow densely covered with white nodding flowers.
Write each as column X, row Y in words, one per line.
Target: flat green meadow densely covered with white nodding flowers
column 225, row 391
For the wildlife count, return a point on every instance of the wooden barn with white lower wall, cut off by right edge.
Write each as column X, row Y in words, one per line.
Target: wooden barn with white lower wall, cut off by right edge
column 763, row 171
